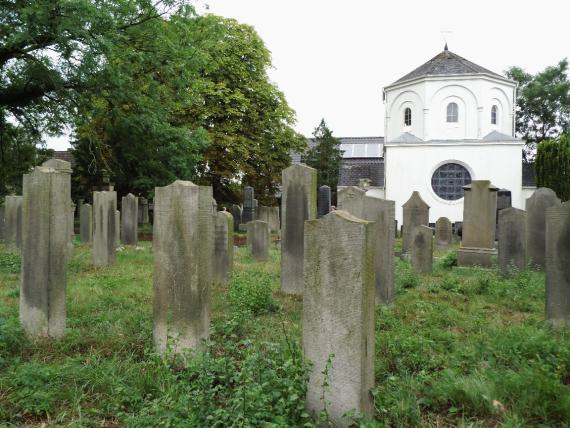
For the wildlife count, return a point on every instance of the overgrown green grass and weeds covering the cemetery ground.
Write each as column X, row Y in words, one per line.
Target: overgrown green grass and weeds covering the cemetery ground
column 459, row 347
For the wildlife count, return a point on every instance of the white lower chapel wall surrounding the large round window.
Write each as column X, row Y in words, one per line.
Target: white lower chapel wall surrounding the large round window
column 410, row 167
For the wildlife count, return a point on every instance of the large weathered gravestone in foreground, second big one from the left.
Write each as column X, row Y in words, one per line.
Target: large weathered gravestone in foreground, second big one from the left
column 182, row 246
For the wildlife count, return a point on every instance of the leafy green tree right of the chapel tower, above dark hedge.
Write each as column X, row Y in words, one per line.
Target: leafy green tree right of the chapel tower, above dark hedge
column 543, row 103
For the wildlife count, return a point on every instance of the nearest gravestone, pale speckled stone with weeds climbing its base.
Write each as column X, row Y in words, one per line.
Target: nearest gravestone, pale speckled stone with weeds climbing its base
column 338, row 315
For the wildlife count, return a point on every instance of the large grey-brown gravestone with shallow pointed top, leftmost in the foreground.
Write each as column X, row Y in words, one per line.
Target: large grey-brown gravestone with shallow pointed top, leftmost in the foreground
column 45, row 252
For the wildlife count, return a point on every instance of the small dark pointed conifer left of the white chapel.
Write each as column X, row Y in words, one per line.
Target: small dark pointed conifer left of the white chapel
column 325, row 156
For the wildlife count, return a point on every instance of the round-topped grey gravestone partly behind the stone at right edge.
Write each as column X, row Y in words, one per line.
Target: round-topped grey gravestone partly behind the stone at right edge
column 536, row 206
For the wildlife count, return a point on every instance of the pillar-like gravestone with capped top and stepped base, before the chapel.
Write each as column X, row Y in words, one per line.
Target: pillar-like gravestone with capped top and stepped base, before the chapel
column 479, row 209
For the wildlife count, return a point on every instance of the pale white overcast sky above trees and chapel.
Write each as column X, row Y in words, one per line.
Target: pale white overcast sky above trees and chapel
column 332, row 58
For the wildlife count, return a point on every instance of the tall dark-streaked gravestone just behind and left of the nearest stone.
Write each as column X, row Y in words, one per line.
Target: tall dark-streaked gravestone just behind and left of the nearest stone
column 298, row 203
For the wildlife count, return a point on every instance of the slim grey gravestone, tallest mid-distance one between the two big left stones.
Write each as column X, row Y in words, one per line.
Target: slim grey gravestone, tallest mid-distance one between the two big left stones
column 105, row 228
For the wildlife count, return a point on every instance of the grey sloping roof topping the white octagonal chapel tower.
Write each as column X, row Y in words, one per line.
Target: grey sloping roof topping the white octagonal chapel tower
column 445, row 63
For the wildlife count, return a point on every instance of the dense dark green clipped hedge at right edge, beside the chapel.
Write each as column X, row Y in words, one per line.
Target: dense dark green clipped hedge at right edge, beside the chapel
column 553, row 166
